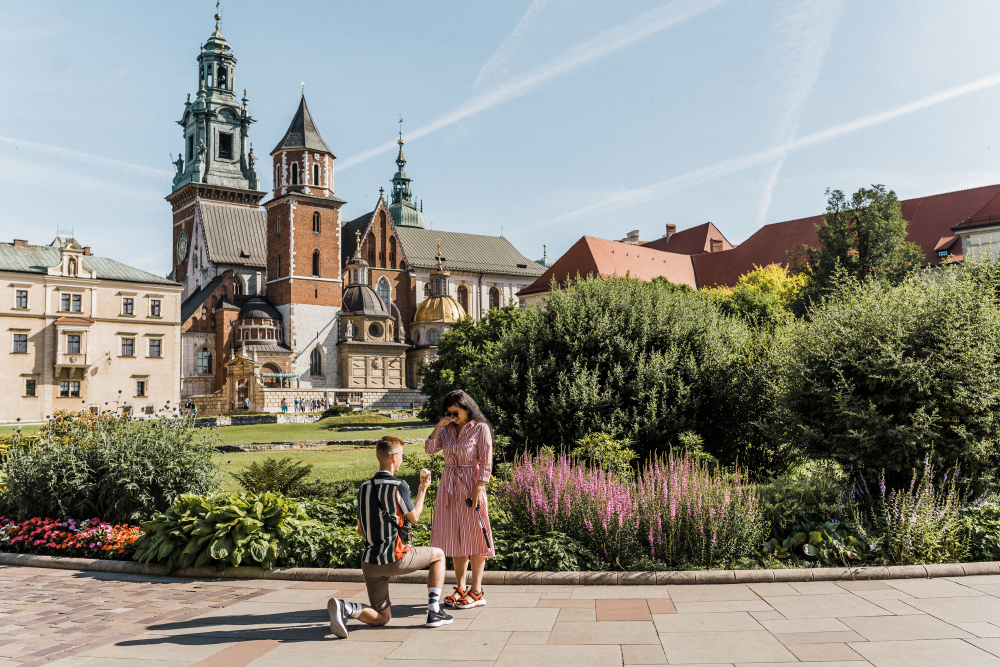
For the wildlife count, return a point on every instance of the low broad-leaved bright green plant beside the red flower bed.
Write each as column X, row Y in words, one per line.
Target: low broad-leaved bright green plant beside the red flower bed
column 222, row 528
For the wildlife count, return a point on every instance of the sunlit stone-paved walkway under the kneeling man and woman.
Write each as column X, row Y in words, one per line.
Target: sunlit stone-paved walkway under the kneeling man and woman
column 63, row 618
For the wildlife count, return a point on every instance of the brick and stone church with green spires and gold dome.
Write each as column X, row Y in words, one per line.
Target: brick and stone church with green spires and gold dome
column 279, row 296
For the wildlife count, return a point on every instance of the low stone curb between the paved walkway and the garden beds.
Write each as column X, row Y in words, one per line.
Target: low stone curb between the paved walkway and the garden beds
column 497, row 578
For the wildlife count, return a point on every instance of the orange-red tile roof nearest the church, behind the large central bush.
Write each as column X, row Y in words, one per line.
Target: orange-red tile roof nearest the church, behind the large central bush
column 592, row 256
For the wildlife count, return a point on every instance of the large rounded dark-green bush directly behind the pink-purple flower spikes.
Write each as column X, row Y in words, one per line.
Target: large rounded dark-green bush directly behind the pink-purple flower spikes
column 639, row 361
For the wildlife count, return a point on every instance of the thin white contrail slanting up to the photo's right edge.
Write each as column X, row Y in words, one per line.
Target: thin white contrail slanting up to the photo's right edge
column 706, row 174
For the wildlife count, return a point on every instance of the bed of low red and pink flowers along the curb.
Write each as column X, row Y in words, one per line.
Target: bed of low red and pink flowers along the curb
column 80, row 539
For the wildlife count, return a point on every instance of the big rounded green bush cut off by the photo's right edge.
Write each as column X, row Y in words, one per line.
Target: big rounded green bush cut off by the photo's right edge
column 886, row 376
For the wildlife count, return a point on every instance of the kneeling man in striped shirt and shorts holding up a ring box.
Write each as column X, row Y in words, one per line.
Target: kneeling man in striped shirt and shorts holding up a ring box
column 385, row 512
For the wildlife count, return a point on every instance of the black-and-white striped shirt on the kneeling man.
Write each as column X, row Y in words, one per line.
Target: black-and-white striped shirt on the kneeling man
column 382, row 502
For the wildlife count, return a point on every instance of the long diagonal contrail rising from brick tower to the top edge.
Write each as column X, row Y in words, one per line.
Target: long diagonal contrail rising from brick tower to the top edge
column 609, row 41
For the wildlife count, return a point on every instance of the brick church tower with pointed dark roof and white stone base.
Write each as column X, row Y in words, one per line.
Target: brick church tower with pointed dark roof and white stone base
column 303, row 249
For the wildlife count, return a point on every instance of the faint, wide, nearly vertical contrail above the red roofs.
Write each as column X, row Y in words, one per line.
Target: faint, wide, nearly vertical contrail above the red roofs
column 804, row 32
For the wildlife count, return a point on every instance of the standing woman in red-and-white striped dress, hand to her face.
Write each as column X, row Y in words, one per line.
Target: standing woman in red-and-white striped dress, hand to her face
column 461, row 526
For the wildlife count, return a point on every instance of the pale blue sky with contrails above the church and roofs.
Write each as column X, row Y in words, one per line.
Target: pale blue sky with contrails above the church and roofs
column 546, row 119
